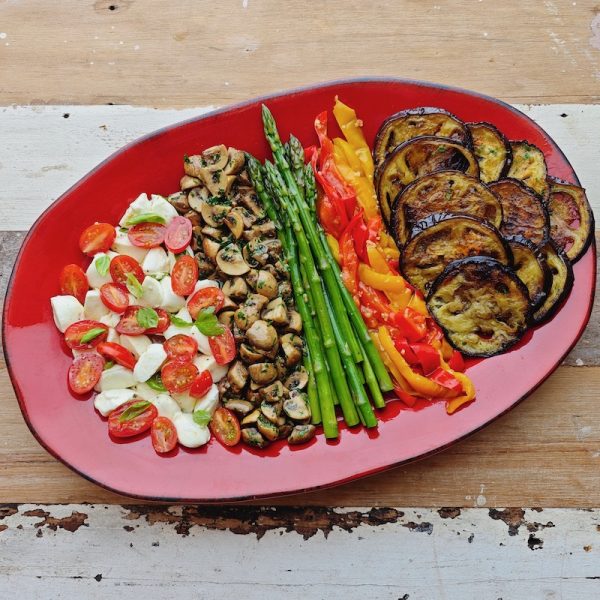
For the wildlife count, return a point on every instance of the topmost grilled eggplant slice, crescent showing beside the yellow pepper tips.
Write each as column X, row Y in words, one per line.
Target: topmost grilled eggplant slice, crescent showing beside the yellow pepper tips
column 408, row 124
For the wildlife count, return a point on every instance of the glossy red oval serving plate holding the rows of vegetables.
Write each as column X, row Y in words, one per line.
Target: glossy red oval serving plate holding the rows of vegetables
column 71, row 430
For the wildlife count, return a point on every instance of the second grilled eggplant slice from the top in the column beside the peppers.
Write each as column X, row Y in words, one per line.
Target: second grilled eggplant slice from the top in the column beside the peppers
column 418, row 157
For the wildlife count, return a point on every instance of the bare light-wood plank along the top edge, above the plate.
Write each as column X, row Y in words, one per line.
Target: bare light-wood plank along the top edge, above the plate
column 170, row 54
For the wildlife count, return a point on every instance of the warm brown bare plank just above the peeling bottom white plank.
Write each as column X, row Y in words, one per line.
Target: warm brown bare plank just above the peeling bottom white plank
column 545, row 452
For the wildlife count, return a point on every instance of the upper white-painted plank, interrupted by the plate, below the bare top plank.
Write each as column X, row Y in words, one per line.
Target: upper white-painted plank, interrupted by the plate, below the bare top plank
column 43, row 153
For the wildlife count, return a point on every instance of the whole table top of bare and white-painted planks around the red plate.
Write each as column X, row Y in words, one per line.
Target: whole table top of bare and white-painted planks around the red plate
column 80, row 79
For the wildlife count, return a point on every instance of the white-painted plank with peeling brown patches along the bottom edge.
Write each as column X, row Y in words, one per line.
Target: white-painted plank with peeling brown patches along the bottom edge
column 419, row 554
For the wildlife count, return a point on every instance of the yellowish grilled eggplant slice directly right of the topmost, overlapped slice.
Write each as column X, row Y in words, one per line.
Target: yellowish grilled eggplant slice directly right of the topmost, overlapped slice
column 491, row 149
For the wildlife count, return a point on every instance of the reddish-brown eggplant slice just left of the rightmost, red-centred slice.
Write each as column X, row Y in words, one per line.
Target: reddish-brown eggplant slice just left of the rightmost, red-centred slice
column 523, row 211
